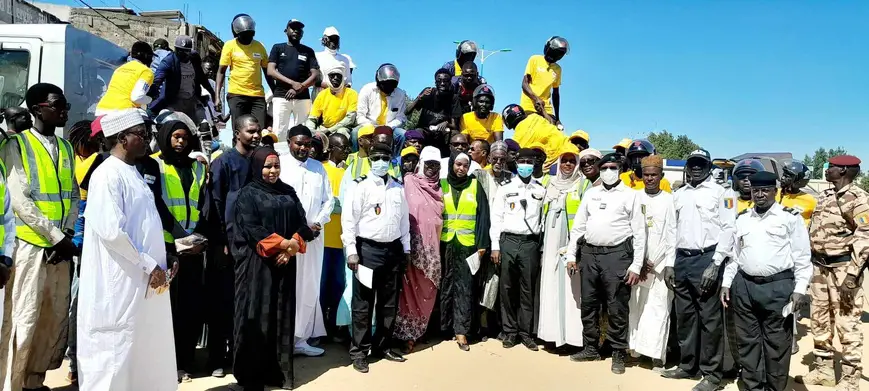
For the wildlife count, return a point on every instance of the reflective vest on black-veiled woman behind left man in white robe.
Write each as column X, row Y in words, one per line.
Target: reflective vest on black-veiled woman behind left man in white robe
column 184, row 207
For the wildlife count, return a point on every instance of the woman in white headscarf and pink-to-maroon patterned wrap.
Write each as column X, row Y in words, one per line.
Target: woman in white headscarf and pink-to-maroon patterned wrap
column 420, row 284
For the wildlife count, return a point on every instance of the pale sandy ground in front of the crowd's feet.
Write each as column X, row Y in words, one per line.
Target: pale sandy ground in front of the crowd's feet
column 487, row 366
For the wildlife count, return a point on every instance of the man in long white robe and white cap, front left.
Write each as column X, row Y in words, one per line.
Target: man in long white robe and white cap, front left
column 125, row 340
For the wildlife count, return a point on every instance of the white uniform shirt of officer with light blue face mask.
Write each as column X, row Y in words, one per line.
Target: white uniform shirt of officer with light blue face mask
column 508, row 214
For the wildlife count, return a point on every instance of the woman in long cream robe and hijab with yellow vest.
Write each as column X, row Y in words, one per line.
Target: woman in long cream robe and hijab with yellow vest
column 560, row 320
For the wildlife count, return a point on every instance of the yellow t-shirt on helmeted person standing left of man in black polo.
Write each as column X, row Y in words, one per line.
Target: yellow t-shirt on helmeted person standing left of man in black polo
column 245, row 64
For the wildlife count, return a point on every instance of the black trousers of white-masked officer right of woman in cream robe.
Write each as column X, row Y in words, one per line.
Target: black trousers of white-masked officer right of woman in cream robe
column 603, row 271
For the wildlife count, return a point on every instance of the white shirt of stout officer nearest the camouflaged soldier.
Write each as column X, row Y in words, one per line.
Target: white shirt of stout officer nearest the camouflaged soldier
column 771, row 243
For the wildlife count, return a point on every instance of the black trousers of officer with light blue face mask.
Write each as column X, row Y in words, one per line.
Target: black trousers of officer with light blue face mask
column 520, row 268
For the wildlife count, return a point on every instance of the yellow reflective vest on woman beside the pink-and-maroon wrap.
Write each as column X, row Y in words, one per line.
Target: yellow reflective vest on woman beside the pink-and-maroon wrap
column 462, row 220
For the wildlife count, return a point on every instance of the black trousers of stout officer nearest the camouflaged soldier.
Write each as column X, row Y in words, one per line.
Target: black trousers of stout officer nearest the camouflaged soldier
column 764, row 336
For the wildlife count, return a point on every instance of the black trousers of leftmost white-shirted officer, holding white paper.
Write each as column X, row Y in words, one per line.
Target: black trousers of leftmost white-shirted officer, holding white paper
column 386, row 259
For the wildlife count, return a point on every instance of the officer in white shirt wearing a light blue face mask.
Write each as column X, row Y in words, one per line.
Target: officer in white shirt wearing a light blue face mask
column 515, row 233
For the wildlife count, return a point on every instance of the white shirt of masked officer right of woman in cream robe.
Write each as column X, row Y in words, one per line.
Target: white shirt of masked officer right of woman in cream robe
column 608, row 218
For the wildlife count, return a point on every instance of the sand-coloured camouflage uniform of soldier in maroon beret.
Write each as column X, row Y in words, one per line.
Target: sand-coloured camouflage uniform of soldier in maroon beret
column 840, row 245
